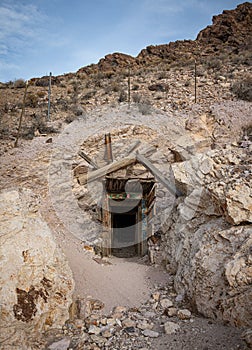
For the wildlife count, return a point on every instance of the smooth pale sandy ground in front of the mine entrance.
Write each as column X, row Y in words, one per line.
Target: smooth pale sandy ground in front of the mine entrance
column 113, row 281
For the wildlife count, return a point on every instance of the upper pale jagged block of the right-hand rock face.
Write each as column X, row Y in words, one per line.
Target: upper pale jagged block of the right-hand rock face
column 225, row 176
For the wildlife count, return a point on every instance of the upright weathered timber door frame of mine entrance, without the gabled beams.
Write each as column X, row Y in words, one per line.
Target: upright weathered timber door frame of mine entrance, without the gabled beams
column 125, row 198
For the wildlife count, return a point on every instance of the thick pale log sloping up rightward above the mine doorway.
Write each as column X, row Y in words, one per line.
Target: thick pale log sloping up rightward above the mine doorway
column 110, row 168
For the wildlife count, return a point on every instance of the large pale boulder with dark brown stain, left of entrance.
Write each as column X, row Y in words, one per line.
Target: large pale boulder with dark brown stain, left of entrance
column 36, row 281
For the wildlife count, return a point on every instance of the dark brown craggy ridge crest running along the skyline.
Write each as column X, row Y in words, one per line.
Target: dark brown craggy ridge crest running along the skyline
column 230, row 30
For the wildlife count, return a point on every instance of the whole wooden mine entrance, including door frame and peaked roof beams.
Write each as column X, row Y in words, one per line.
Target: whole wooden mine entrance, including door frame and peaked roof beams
column 121, row 204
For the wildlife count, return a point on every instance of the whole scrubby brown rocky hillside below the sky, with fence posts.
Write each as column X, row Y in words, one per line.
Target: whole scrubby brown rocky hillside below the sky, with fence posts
column 162, row 76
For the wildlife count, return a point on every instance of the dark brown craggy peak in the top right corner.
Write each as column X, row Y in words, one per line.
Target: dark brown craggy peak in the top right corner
column 233, row 27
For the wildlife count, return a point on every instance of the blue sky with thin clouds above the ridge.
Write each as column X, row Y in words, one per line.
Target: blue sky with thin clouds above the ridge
column 61, row 36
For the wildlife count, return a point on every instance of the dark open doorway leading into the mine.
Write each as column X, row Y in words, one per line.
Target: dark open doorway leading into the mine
column 124, row 242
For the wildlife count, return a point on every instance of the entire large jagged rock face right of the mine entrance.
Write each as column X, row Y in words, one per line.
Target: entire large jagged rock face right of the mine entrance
column 211, row 259
